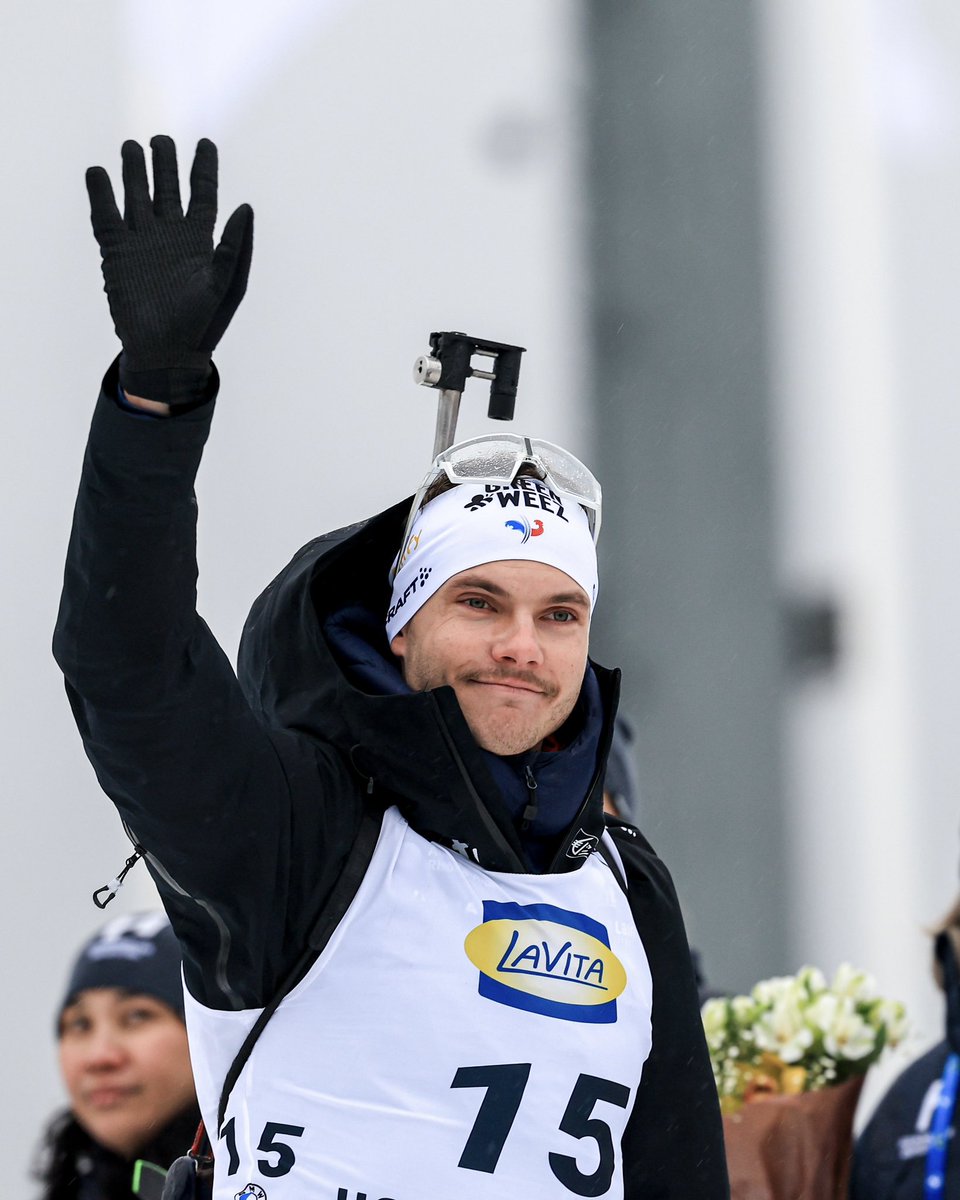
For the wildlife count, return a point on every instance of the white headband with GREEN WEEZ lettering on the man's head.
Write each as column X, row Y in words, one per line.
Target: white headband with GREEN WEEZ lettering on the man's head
column 477, row 524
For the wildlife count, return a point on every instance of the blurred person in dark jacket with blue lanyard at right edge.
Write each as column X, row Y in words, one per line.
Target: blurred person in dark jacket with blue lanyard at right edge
column 909, row 1149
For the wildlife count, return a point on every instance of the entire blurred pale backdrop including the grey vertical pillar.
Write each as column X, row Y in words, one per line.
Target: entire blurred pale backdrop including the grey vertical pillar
column 727, row 235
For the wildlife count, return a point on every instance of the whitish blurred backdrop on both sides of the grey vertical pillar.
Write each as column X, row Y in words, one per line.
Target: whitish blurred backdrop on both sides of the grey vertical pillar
column 417, row 167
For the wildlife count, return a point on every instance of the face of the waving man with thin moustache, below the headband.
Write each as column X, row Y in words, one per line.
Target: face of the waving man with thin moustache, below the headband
column 511, row 639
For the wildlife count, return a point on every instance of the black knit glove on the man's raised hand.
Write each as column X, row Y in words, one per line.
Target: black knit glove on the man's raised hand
column 172, row 296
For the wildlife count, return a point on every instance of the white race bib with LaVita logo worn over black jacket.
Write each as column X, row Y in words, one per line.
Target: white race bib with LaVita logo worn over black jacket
column 466, row 1035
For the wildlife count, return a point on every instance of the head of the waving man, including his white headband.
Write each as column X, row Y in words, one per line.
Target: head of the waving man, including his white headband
column 503, row 611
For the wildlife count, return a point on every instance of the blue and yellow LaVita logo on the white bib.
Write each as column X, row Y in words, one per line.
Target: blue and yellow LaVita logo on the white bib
column 547, row 961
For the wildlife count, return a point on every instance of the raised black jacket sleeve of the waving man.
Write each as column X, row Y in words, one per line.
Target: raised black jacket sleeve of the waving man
column 201, row 784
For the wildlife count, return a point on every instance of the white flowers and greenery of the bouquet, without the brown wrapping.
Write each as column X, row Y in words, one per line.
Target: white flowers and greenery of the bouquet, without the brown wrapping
column 795, row 1034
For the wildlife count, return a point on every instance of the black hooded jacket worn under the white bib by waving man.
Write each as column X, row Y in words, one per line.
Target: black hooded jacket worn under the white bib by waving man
column 248, row 795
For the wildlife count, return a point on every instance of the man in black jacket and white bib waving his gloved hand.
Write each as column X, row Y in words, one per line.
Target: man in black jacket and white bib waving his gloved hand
column 500, row 1000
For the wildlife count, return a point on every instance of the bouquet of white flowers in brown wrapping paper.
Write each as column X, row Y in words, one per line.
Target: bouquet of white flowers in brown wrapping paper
column 801, row 1047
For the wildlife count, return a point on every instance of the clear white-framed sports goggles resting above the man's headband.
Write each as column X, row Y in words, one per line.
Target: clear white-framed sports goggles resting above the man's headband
column 499, row 458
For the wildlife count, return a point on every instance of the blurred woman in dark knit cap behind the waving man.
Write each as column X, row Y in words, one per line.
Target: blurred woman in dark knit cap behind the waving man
column 124, row 1061
